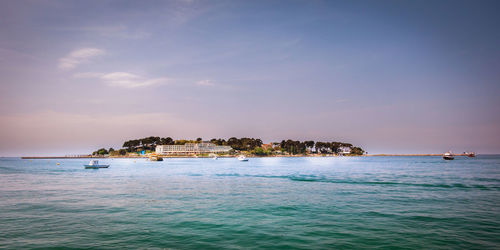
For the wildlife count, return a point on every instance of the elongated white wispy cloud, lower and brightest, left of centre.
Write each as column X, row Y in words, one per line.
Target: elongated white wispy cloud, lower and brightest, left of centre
column 123, row 79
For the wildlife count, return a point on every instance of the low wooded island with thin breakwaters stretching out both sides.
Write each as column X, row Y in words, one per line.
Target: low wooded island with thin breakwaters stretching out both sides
column 250, row 147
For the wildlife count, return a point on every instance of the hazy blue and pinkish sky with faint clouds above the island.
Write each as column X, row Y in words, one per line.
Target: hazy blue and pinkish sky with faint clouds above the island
column 389, row 76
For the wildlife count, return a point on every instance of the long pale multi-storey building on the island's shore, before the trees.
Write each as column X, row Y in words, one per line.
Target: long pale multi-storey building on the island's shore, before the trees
column 191, row 148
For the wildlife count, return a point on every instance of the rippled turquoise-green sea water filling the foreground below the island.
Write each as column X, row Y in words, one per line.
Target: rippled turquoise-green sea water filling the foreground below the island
column 287, row 203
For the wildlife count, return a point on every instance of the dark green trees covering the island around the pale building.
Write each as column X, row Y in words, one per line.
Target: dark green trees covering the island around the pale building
column 252, row 145
